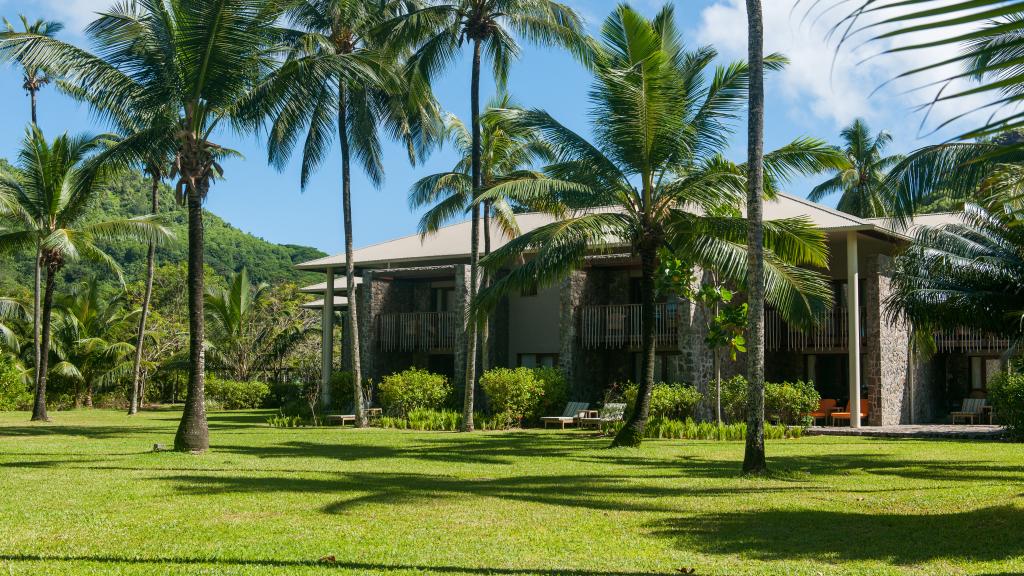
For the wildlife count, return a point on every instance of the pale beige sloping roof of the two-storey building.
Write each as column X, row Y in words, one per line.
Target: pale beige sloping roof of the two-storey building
column 453, row 242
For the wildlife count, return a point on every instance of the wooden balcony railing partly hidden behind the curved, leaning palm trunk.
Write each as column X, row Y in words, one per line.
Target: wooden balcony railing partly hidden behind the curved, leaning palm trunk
column 619, row 326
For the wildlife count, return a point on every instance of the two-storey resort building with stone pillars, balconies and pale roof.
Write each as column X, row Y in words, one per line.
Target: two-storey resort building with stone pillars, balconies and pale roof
column 412, row 296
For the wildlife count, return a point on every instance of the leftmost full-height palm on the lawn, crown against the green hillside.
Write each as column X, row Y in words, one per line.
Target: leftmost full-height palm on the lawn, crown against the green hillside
column 53, row 185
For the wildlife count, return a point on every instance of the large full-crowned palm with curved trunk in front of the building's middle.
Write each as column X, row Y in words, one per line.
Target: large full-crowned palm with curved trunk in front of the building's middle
column 656, row 178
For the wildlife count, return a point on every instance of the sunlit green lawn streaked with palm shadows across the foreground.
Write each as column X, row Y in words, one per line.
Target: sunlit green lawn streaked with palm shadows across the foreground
column 87, row 496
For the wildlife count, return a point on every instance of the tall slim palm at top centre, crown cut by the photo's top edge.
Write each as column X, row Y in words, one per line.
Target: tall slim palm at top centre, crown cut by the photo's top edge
column 489, row 26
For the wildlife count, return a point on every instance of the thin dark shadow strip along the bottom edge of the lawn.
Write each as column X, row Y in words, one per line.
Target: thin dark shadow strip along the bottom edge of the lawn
column 338, row 565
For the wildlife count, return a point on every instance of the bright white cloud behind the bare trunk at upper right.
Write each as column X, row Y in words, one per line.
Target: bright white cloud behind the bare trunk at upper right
column 827, row 84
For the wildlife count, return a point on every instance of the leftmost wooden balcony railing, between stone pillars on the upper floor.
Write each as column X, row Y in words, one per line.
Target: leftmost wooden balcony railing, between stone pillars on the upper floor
column 419, row 332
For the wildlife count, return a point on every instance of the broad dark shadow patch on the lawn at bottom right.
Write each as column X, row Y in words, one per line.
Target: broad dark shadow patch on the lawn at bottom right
column 984, row 534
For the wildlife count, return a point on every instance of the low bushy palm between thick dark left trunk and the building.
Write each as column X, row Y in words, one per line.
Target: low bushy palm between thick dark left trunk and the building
column 246, row 338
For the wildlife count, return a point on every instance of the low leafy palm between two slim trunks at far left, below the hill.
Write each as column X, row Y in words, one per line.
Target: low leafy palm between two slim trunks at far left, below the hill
column 88, row 343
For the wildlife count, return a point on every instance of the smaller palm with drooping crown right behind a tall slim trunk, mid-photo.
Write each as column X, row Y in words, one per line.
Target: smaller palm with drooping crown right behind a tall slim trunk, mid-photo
column 509, row 154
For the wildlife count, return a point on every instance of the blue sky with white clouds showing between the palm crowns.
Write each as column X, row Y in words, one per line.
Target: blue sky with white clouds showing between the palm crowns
column 815, row 97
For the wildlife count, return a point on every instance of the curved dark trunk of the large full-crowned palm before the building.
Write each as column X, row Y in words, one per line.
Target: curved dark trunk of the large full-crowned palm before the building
column 632, row 433
